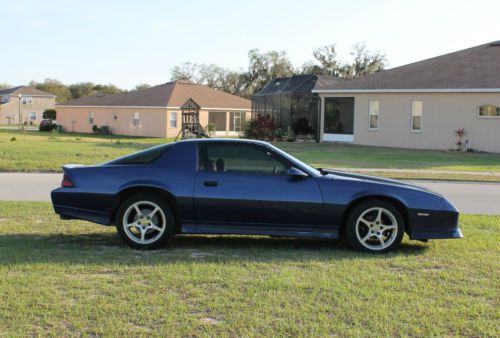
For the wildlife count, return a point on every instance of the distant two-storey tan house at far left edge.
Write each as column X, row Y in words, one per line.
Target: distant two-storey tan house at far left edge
column 24, row 103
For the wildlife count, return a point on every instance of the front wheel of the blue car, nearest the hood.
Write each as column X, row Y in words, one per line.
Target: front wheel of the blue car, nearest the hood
column 375, row 226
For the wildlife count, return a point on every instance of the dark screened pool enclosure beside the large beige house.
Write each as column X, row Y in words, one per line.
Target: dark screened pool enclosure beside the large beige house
column 289, row 99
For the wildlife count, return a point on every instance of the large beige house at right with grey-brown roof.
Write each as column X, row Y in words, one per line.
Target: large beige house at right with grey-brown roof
column 419, row 105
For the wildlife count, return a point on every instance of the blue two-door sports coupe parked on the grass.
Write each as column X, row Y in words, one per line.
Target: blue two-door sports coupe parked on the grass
column 247, row 187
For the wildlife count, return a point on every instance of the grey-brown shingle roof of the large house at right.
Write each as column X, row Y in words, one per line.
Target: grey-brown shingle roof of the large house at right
column 474, row 69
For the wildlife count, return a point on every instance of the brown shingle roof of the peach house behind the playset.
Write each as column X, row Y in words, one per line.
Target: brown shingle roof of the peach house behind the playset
column 171, row 94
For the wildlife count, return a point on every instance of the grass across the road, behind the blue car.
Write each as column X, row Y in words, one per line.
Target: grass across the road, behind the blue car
column 35, row 151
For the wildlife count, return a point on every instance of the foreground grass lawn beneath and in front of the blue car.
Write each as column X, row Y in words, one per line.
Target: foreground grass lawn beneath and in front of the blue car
column 71, row 278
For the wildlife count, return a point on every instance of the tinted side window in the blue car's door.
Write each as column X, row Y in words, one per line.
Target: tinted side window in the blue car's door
column 239, row 157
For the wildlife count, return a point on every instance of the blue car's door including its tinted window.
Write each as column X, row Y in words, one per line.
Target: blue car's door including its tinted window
column 242, row 184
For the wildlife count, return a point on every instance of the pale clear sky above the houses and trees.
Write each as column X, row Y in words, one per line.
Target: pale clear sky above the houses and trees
column 130, row 42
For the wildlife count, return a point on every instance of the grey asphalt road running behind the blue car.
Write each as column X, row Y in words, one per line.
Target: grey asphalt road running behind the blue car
column 470, row 198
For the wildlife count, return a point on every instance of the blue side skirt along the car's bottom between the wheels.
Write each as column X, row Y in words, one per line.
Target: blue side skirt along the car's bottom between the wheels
column 307, row 232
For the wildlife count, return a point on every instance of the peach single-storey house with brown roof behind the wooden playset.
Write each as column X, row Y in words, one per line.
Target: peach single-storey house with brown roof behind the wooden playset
column 155, row 111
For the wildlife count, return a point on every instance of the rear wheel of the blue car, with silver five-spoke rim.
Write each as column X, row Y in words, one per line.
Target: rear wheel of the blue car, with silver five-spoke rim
column 145, row 221
